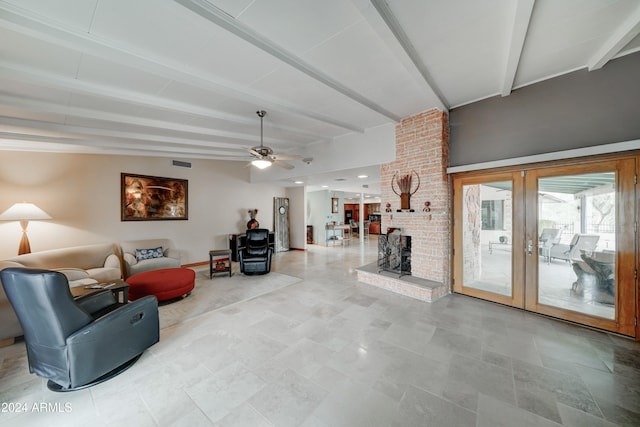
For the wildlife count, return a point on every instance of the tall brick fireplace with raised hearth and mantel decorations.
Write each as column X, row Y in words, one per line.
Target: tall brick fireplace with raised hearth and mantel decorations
column 422, row 145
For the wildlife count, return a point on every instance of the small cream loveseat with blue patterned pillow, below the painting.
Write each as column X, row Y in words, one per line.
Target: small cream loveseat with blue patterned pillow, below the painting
column 134, row 258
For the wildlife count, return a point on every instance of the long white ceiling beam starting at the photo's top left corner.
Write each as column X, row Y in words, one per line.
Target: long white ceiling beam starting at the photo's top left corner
column 20, row 20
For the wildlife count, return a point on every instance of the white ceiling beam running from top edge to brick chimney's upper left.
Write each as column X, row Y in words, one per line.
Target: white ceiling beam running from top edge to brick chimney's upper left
column 219, row 17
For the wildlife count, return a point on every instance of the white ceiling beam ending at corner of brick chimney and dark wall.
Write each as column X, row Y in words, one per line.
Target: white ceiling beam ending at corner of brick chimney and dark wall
column 407, row 48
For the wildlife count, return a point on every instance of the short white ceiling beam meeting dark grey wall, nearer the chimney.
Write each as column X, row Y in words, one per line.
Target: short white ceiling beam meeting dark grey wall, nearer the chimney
column 522, row 11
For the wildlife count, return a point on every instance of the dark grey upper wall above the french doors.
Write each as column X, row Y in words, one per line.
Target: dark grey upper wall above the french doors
column 576, row 110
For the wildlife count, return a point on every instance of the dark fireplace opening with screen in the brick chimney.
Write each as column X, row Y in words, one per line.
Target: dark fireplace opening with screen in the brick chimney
column 394, row 252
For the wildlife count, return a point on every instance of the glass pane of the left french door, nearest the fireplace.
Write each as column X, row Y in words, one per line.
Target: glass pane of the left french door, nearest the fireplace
column 486, row 233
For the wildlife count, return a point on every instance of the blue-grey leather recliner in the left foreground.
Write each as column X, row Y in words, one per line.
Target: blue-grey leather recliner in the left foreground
column 77, row 343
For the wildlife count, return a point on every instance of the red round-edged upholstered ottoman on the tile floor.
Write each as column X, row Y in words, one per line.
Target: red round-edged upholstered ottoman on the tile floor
column 165, row 284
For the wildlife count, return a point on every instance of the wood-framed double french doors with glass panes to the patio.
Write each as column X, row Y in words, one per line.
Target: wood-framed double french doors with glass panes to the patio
column 556, row 240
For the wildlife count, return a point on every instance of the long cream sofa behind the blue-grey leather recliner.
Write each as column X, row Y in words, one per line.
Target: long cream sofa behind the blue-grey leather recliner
column 81, row 264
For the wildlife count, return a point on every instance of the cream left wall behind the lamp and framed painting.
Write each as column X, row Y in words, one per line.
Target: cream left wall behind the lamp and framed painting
column 82, row 194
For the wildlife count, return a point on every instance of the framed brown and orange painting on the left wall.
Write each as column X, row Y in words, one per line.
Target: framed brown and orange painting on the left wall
column 153, row 198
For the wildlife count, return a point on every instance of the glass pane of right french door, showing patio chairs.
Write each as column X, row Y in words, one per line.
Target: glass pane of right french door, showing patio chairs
column 577, row 243
